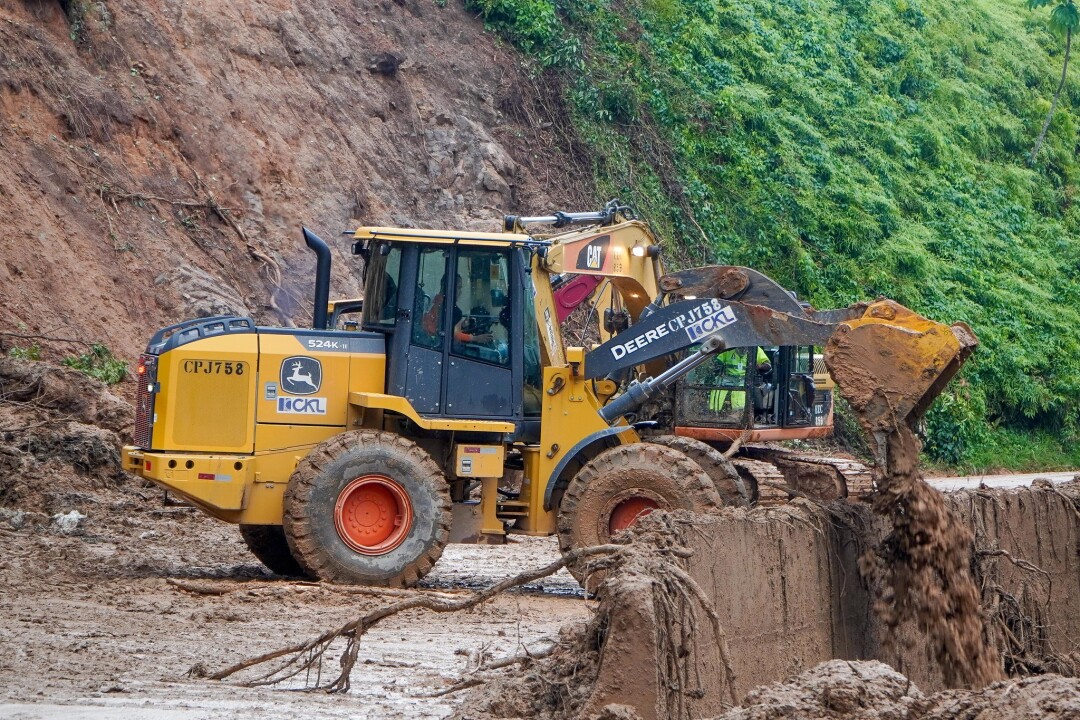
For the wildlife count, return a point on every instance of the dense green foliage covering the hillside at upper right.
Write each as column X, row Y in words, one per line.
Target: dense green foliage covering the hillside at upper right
column 853, row 150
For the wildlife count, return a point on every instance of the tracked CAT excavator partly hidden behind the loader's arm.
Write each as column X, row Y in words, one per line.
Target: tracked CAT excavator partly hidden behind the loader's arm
column 740, row 407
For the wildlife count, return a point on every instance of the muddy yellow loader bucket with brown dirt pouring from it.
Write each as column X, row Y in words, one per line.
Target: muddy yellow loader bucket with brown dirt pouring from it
column 925, row 563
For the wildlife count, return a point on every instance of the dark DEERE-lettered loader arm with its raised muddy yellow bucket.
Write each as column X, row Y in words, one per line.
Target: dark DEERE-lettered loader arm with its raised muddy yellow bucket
column 890, row 363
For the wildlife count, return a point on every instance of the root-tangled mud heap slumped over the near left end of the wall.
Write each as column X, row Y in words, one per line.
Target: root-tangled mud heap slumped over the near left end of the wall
column 650, row 566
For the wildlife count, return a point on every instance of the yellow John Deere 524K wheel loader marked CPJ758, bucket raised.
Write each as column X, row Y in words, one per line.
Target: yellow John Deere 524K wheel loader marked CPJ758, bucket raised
column 445, row 406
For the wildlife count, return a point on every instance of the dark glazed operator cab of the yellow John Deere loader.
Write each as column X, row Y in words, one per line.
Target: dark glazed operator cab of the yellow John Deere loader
column 462, row 335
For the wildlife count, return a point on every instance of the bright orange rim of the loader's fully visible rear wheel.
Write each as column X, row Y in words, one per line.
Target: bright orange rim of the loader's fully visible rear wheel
column 373, row 515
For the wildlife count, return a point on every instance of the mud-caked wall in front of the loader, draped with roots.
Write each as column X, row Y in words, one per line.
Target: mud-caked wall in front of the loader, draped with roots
column 787, row 587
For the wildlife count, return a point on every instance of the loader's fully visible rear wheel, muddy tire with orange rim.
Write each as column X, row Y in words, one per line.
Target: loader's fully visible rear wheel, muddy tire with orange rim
column 368, row 508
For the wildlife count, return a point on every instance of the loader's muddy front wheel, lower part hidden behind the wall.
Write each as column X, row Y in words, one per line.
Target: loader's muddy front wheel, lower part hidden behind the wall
column 622, row 485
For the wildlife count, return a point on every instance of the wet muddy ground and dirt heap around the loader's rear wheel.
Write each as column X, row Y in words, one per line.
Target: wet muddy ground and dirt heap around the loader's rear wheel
column 110, row 596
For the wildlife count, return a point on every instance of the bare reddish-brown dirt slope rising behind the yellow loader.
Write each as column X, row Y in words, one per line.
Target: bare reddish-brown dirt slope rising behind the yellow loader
column 159, row 158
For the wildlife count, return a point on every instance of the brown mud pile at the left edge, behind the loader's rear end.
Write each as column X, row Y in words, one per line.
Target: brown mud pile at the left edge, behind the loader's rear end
column 60, row 443
